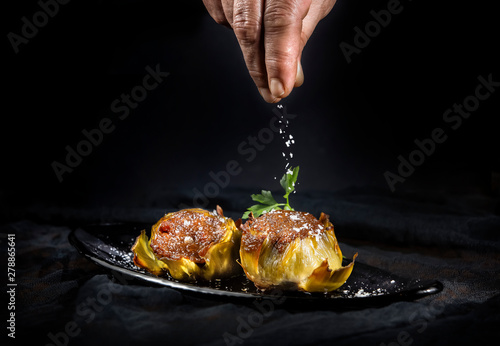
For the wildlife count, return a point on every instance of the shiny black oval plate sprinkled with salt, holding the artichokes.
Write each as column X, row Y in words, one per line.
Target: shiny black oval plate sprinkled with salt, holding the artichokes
column 109, row 246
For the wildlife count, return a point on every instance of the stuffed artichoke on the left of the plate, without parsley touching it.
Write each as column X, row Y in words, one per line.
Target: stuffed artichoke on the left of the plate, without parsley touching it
column 191, row 244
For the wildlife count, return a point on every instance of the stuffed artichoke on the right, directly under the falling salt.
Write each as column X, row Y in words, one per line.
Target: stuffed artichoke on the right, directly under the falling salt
column 292, row 250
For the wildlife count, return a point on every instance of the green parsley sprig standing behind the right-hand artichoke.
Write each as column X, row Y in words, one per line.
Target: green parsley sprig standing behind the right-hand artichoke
column 266, row 199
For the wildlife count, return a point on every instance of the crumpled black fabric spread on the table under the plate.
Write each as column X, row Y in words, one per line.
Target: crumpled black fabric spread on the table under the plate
column 64, row 299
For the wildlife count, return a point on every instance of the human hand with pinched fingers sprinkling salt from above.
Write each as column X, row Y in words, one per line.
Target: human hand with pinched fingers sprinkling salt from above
column 272, row 35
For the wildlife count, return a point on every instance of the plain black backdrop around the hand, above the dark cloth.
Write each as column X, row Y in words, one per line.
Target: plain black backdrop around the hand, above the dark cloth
column 353, row 119
